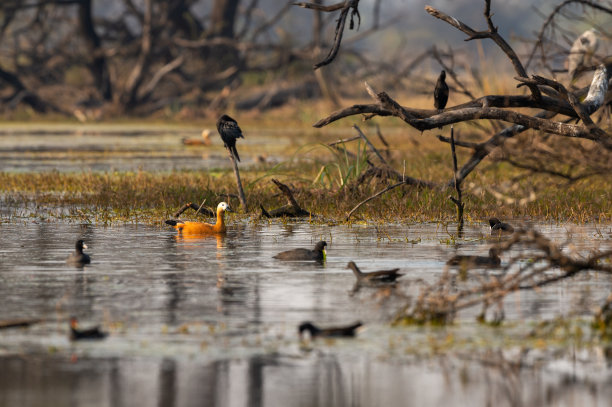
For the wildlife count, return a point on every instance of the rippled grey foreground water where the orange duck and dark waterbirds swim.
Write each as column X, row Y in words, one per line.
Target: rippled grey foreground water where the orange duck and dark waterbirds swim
column 212, row 321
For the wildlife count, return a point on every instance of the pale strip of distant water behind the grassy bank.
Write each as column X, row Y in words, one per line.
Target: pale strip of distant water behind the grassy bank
column 123, row 147
